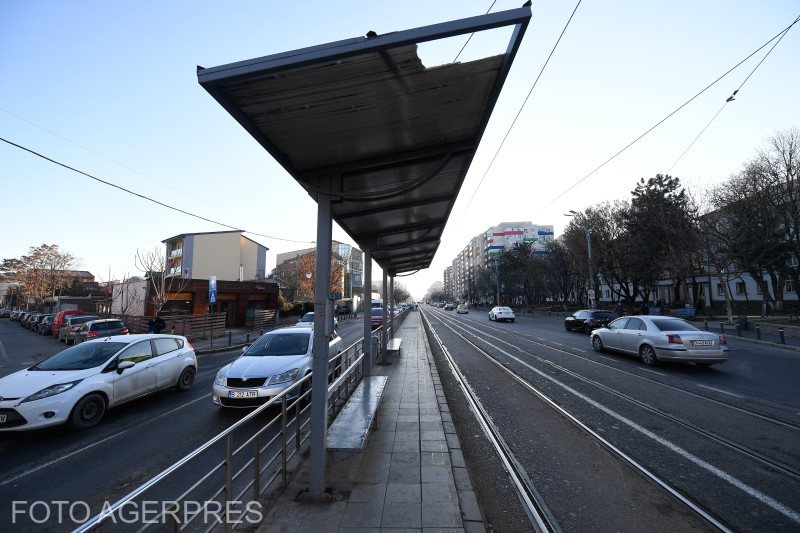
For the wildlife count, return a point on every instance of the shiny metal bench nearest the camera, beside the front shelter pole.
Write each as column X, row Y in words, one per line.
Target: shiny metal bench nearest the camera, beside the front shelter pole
column 349, row 431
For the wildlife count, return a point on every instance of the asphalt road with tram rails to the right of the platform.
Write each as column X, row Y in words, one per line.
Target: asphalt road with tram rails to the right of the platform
column 661, row 417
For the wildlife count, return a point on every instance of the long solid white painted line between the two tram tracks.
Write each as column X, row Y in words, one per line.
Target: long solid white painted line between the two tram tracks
column 753, row 492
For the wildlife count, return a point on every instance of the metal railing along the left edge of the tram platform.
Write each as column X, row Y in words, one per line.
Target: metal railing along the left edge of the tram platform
column 225, row 479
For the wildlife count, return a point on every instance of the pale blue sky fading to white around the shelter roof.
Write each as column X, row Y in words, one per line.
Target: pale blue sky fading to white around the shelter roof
column 110, row 89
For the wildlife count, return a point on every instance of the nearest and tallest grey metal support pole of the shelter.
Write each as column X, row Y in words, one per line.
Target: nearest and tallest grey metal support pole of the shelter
column 319, row 384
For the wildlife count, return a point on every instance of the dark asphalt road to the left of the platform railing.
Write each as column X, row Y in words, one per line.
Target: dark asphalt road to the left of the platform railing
column 132, row 443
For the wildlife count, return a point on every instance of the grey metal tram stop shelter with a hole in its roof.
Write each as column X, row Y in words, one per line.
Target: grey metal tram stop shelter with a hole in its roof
column 381, row 141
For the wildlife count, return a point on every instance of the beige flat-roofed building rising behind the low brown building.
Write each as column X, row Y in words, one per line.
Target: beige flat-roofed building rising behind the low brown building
column 228, row 255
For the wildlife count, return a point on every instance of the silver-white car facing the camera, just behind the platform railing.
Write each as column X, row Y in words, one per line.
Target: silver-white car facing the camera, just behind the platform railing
column 276, row 361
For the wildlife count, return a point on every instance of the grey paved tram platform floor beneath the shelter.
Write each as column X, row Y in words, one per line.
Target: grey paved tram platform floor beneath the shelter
column 411, row 476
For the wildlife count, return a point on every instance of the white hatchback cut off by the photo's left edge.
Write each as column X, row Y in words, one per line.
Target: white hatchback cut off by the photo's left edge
column 77, row 385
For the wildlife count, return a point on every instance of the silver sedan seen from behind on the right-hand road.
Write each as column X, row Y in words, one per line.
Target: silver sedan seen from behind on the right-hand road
column 661, row 338
